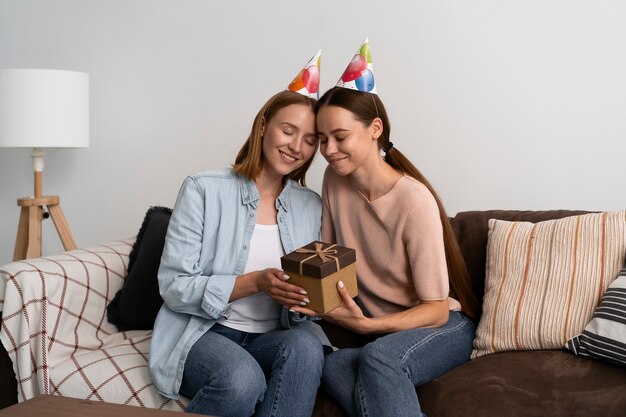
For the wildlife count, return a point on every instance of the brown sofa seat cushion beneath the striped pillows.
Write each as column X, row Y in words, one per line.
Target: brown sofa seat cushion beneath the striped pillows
column 532, row 383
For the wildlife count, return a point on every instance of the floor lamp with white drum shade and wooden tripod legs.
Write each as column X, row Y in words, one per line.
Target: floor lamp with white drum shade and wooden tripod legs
column 44, row 110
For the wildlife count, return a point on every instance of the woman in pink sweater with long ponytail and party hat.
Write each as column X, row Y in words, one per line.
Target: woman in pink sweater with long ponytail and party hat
column 414, row 303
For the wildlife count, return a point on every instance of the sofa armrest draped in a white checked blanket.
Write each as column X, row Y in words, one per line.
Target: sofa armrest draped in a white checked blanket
column 54, row 308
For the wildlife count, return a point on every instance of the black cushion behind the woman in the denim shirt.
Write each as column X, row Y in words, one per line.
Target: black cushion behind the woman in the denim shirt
column 136, row 304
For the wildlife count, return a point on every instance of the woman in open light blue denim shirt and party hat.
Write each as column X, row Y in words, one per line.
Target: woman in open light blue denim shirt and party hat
column 223, row 336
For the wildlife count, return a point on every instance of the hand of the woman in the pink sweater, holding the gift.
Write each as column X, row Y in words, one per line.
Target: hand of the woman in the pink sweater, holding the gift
column 348, row 314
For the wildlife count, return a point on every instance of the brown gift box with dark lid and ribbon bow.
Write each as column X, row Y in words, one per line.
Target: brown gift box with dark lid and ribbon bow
column 317, row 267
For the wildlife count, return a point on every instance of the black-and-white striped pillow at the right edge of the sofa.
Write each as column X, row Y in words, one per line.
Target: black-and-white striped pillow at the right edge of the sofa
column 604, row 337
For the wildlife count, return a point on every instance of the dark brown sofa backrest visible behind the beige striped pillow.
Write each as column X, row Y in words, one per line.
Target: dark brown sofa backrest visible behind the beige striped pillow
column 472, row 231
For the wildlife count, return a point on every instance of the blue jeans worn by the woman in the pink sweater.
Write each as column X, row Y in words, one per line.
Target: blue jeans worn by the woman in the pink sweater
column 379, row 379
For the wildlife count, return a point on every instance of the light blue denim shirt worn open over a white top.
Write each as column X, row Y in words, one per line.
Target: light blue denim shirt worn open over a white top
column 206, row 248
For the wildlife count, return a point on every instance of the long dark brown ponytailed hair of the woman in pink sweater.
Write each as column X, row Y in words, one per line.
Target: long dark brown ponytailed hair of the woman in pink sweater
column 366, row 107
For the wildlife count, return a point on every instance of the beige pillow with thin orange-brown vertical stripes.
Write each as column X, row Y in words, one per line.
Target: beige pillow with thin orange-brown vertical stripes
column 544, row 280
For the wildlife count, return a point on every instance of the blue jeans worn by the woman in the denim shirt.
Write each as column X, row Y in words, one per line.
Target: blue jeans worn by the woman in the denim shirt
column 231, row 373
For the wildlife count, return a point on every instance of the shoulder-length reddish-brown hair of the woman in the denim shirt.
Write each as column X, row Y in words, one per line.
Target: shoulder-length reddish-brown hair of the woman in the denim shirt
column 250, row 159
